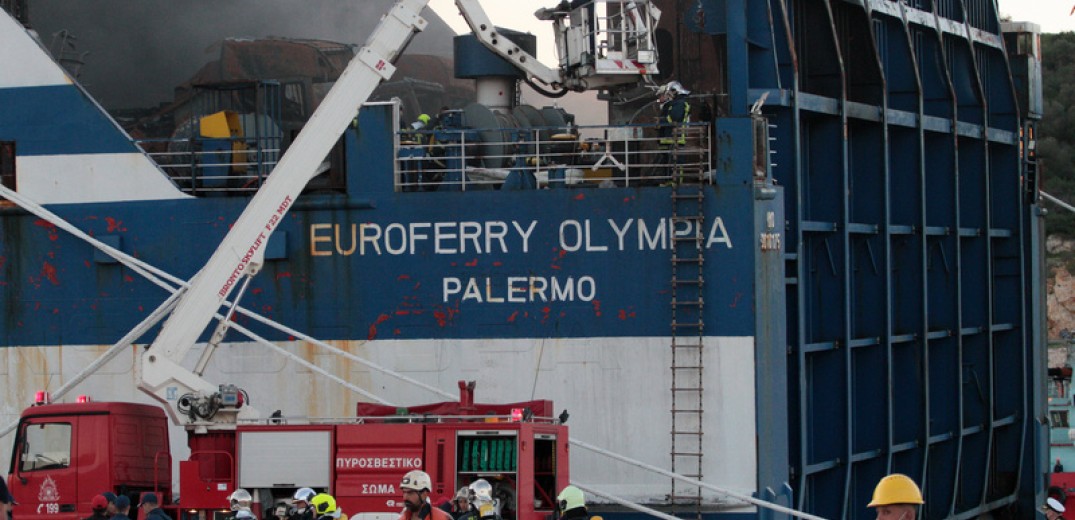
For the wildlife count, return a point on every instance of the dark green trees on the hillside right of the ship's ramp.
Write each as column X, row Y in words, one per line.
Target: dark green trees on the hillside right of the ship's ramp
column 1056, row 138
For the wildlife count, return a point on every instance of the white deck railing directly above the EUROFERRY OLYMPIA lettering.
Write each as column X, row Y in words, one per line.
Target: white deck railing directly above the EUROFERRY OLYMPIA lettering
column 534, row 158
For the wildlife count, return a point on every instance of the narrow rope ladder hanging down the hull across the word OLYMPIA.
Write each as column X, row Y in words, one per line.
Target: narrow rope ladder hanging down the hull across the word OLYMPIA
column 689, row 284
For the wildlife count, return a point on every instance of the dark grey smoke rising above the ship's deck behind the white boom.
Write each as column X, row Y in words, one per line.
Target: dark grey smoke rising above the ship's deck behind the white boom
column 138, row 51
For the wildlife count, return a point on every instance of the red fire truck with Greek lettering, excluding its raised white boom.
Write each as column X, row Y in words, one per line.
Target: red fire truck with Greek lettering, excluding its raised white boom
column 66, row 454
